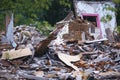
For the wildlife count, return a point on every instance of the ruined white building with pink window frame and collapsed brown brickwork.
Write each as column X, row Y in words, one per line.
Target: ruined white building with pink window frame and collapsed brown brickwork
column 89, row 24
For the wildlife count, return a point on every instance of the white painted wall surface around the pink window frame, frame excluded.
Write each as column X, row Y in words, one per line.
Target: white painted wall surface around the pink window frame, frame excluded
column 97, row 8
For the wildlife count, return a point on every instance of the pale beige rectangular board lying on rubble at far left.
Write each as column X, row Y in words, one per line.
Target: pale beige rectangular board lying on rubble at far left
column 13, row 54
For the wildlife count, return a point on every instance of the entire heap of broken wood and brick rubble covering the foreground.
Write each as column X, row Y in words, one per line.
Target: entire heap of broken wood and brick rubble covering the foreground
column 64, row 56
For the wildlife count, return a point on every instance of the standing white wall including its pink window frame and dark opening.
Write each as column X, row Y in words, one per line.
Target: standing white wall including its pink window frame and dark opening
column 96, row 11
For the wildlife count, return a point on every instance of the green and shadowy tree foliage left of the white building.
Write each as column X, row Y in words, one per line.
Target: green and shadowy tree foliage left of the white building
column 34, row 11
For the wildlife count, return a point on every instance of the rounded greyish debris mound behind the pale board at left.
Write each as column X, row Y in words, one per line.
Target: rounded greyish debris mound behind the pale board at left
column 27, row 35
